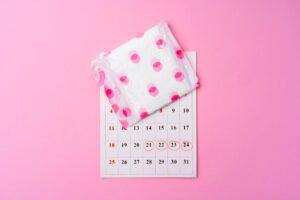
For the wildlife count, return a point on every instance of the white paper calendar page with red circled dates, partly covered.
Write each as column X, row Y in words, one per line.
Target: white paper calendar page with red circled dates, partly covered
column 162, row 145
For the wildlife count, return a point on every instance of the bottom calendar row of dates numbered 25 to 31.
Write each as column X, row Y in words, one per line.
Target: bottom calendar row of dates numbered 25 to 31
column 173, row 165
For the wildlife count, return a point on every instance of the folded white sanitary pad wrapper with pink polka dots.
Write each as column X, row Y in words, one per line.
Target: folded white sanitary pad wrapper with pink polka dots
column 144, row 74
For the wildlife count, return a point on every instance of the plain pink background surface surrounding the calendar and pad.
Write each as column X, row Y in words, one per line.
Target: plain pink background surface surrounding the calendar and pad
column 248, row 104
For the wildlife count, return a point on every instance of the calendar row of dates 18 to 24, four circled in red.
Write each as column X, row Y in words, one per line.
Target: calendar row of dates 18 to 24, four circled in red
column 149, row 145
